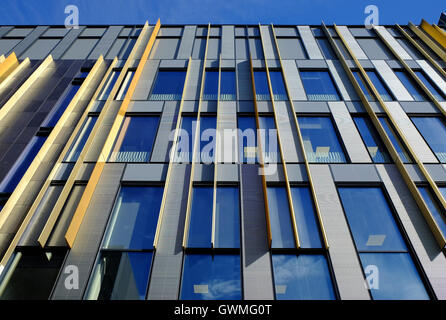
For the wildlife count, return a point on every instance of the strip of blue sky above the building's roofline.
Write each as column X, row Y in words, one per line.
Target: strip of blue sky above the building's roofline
column 219, row 11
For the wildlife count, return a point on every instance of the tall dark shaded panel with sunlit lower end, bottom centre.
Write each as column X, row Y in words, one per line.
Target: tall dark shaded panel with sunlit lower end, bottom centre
column 256, row 260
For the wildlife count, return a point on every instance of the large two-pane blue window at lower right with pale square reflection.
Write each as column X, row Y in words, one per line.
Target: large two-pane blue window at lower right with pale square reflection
column 381, row 245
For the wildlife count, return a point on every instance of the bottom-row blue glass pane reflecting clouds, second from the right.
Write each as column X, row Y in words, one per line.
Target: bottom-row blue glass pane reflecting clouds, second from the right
column 302, row 277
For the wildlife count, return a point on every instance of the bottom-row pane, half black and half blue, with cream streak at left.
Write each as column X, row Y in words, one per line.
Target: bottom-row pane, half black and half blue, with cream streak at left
column 120, row 276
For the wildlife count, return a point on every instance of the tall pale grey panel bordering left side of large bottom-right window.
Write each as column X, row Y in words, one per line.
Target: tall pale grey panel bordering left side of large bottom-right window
column 345, row 262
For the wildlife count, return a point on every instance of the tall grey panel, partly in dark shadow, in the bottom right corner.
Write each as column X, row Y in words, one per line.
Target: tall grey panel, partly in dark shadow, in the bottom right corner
column 429, row 254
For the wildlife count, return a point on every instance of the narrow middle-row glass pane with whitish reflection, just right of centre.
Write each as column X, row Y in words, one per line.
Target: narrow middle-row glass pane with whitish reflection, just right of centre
column 269, row 140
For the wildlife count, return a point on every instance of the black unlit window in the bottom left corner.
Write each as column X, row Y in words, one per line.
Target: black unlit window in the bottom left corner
column 31, row 275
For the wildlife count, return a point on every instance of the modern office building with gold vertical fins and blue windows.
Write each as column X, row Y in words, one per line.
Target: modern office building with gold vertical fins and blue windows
column 223, row 162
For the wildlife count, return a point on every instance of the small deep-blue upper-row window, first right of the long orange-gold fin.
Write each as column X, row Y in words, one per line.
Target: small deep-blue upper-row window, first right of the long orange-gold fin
column 168, row 85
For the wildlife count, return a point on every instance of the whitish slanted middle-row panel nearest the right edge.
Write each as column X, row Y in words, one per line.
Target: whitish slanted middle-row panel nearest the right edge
column 411, row 133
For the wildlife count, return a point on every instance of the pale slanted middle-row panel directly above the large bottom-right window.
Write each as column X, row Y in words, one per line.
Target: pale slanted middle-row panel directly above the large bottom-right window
column 350, row 136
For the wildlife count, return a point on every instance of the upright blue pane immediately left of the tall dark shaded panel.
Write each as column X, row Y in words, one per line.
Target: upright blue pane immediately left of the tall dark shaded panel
column 227, row 218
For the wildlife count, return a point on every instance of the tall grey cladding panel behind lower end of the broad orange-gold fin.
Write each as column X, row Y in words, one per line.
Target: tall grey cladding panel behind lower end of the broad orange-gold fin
column 88, row 240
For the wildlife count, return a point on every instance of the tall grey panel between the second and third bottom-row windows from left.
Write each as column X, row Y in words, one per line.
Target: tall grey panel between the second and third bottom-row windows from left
column 167, row 265
